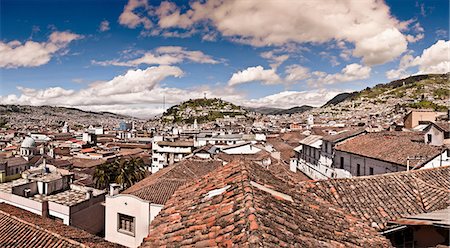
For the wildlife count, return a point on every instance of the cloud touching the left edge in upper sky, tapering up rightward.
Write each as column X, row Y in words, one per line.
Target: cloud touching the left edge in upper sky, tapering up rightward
column 31, row 54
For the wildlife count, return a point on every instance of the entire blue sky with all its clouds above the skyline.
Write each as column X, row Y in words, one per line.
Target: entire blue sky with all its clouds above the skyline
column 124, row 56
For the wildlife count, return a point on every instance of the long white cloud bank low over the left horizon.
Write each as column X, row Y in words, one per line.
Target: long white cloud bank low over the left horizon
column 131, row 87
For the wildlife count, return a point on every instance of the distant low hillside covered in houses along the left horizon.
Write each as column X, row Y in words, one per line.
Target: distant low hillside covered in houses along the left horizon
column 25, row 115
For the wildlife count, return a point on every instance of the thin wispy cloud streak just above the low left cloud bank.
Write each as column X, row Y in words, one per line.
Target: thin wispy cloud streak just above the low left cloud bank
column 166, row 55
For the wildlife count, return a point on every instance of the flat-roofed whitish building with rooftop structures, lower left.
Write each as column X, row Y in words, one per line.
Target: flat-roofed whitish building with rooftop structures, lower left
column 48, row 191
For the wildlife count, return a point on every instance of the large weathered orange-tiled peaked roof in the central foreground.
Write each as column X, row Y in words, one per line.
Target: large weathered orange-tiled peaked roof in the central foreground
column 245, row 215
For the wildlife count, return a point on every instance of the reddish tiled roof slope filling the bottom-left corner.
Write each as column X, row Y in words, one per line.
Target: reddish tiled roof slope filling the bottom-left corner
column 20, row 228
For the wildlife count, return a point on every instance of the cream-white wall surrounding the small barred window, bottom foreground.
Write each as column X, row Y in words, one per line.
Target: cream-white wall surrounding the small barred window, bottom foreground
column 131, row 206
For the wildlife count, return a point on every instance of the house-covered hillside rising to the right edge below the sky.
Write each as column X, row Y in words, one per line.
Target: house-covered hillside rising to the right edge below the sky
column 390, row 101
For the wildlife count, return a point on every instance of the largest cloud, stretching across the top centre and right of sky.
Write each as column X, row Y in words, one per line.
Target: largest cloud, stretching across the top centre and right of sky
column 376, row 35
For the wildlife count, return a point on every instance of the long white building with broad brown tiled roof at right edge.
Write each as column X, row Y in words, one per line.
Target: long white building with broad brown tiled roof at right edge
column 379, row 153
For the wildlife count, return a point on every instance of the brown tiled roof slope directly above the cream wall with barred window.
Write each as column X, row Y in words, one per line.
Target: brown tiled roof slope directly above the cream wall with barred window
column 159, row 187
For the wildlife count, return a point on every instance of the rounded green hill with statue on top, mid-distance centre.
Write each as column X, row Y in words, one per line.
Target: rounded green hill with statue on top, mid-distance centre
column 203, row 110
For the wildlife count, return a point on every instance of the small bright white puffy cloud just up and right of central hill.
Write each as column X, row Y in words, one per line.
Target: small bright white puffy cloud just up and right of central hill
column 257, row 73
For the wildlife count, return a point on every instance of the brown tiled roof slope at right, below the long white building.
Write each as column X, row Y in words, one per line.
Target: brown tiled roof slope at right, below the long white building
column 382, row 198
